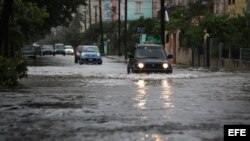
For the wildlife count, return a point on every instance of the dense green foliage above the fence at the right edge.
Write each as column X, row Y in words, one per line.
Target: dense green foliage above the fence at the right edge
column 232, row 31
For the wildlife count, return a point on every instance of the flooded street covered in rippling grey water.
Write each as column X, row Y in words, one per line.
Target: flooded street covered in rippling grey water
column 64, row 101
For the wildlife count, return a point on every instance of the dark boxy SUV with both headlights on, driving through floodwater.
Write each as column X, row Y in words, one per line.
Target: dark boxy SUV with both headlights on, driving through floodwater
column 149, row 58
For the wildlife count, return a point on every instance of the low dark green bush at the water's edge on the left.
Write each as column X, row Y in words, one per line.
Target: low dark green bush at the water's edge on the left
column 12, row 69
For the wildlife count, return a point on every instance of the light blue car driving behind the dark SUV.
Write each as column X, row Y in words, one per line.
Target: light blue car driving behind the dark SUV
column 90, row 54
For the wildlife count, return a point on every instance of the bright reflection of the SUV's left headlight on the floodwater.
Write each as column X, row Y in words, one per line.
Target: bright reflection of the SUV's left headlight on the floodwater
column 141, row 94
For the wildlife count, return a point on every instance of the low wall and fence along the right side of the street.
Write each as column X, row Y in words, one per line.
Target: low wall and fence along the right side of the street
column 217, row 56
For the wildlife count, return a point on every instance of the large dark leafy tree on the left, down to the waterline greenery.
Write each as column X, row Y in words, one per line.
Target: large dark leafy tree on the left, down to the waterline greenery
column 22, row 21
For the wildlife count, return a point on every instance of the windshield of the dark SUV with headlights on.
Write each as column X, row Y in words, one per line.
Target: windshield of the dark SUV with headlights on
column 150, row 52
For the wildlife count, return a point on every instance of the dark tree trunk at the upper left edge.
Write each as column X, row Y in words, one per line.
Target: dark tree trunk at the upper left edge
column 5, row 20
